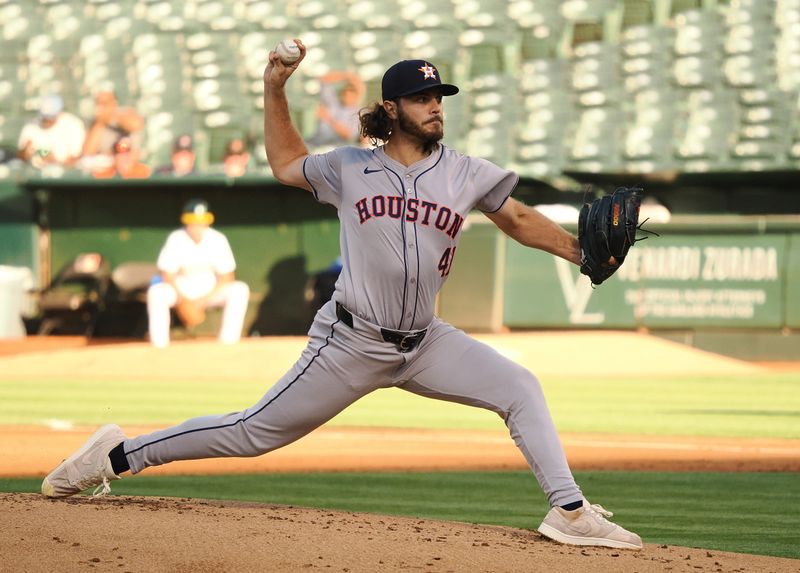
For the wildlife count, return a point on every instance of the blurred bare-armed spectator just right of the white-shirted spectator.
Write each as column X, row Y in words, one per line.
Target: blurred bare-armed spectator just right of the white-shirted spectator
column 110, row 123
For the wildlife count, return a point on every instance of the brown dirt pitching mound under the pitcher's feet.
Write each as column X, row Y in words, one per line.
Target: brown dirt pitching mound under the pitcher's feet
column 119, row 533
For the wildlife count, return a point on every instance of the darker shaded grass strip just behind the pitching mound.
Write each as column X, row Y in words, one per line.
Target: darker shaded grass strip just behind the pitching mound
column 728, row 512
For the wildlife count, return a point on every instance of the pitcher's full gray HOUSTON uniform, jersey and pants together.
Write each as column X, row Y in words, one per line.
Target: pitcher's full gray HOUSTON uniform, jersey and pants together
column 400, row 228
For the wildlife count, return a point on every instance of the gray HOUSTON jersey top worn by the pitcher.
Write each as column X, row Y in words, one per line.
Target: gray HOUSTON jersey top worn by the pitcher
column 400, row 226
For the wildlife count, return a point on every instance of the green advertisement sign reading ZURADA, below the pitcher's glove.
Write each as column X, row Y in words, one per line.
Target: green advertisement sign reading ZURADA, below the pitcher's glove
column 672, row 282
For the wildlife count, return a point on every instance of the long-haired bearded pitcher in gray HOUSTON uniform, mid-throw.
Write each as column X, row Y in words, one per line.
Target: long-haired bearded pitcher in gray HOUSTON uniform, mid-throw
column 402, row 207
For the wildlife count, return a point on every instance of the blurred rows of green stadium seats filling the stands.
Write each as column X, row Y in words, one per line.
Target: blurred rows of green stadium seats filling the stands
column 549, row 84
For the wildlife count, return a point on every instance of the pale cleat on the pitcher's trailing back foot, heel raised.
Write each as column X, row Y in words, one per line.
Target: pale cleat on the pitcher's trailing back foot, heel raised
column 88, row 467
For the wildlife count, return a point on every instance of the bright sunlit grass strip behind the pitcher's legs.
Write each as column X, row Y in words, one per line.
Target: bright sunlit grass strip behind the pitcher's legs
column 765, row 406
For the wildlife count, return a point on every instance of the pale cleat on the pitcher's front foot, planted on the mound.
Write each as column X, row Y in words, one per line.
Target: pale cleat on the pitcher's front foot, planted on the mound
column 587, row 525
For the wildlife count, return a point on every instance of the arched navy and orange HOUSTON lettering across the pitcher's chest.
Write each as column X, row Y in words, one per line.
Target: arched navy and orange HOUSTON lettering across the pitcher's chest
column 423, row 212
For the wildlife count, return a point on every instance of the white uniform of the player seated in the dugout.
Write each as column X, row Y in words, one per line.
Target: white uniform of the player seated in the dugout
column 196, row 266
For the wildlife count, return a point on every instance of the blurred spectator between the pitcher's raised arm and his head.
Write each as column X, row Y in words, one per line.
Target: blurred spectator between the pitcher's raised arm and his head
column 338, row 112
